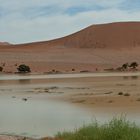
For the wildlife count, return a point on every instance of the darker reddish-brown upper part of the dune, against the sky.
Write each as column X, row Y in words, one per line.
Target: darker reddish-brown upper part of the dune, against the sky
column 112, row 35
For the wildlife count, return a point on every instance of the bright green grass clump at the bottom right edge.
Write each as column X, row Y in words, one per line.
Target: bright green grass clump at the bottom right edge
column 116, row 129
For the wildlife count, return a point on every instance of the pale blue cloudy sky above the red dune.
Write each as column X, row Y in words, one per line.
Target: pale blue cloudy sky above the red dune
column 36, row 20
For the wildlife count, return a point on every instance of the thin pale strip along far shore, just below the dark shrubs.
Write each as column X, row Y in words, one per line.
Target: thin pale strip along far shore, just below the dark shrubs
column 69, row 75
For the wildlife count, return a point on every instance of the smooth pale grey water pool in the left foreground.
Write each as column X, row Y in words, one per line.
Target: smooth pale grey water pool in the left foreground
column 38, row 118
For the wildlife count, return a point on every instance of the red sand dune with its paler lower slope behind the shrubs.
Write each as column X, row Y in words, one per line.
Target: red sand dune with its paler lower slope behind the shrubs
column 98, row 46
